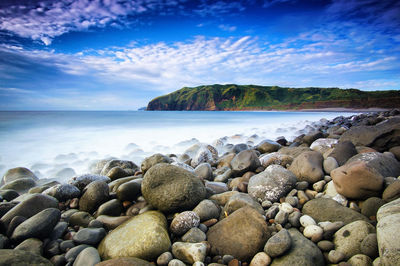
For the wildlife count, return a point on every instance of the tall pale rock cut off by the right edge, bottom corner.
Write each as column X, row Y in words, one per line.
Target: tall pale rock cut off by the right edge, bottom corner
column 388, row 235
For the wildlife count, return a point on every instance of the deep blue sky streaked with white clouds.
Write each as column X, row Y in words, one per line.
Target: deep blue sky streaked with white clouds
column 118, row 54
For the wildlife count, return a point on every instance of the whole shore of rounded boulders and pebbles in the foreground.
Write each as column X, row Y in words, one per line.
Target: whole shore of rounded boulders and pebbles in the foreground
column 330, row 197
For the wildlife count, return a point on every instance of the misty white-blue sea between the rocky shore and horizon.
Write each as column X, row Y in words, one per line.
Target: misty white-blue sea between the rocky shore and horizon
column 58, row 144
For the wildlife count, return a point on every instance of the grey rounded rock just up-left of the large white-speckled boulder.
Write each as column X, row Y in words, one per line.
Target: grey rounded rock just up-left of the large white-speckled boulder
column 244, row 161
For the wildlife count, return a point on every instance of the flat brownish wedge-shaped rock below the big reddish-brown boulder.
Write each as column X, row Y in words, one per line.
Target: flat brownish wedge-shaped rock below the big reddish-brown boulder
column 316, row 208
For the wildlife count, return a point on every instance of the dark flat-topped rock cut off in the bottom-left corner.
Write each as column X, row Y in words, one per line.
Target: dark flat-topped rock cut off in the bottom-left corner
column 22, row 257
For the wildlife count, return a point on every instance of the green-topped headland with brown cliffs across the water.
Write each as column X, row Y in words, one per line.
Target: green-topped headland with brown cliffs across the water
column 252, row 97
